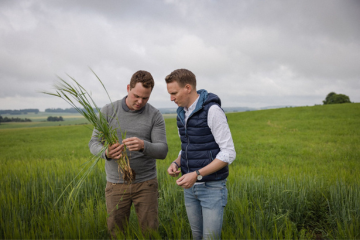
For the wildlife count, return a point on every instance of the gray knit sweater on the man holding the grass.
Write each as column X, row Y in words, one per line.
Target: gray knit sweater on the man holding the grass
column 146, row 124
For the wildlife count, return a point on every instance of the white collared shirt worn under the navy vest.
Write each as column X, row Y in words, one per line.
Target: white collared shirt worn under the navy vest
column 219, row 127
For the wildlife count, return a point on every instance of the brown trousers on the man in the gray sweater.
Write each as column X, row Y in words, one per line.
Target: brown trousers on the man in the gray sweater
column 120, row 197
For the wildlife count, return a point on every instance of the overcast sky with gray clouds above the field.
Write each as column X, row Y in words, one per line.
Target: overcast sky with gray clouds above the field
column 250, row 53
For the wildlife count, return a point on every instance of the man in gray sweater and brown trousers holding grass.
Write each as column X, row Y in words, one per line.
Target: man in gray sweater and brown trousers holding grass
column 145, row 142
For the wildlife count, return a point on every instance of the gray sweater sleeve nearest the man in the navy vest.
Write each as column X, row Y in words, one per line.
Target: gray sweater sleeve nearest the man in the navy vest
column 158, row 147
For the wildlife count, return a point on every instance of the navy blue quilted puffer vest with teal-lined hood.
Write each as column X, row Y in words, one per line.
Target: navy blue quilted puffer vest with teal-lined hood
column 198, row 146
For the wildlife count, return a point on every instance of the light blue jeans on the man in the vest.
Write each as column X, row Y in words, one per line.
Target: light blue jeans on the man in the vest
column 205, row 205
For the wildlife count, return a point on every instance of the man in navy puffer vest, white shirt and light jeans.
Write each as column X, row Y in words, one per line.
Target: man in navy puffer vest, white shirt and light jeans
column 207, row 149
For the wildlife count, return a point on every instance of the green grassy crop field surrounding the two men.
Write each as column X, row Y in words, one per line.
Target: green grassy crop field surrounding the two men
column 296, row 176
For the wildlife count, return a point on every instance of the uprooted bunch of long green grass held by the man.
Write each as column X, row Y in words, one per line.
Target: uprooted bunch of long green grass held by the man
column 77, row 95
